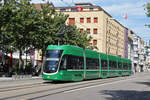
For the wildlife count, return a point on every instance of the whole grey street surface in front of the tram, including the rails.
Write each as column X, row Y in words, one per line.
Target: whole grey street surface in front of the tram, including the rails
column 135, row 87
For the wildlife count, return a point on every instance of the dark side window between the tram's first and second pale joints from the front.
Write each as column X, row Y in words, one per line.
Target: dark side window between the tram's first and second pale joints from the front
column 92, row 63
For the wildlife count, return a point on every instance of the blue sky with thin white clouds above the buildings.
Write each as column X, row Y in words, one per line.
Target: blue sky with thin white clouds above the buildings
column 136, row 15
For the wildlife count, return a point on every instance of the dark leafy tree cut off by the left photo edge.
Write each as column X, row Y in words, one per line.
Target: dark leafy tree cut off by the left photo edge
column 6, row 14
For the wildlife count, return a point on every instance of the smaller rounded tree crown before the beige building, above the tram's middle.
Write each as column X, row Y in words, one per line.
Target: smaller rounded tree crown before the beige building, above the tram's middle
column 72, row 36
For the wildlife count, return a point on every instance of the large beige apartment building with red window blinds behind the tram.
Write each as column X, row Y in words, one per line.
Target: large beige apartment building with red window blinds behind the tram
column 108, row 34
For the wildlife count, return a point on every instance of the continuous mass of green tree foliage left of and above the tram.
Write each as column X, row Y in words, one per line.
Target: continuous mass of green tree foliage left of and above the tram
column 23, row 26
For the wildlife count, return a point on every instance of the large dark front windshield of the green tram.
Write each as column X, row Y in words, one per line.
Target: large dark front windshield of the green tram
column 52, row 61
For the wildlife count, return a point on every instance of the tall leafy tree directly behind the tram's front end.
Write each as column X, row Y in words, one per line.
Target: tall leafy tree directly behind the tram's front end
column 47, row 27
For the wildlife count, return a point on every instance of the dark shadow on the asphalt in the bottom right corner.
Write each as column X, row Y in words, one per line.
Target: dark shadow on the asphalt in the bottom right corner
column 126, row 95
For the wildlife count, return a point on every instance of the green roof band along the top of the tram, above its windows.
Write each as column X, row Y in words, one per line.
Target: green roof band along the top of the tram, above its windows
column 89, row 53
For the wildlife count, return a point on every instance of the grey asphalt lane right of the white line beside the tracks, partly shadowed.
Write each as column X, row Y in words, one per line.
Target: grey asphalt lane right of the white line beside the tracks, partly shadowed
column 134, row 88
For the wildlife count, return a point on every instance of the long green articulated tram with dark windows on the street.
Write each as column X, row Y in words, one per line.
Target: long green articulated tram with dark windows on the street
column 72, row 63
